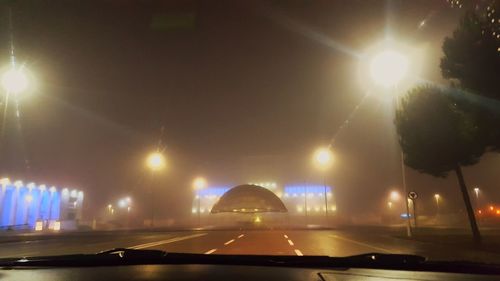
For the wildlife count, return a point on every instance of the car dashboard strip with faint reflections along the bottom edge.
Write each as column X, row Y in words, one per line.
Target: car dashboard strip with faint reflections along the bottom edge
column 197, row 272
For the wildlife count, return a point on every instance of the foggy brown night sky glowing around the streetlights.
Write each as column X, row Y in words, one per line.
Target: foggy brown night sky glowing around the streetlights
column 241, row 94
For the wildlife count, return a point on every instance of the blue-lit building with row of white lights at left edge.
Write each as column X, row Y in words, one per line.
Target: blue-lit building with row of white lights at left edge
column 38, row 207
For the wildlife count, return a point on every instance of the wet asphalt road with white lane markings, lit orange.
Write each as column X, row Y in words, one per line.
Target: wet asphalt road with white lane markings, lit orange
column 272, row 242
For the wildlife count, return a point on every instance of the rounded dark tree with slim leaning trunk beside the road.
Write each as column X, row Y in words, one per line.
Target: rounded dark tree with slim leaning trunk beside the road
column 437, row 136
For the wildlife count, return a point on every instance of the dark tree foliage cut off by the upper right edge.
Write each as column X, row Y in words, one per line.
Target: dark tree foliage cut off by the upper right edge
column 472, row 61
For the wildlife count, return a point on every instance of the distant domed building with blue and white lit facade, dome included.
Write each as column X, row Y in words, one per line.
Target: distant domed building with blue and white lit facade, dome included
column 264, row 202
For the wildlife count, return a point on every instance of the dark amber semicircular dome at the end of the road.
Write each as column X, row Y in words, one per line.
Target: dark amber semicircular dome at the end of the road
column 248, row 199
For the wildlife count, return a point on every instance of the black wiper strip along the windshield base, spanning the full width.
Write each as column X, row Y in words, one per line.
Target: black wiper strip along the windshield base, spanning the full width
column 124, row 256
